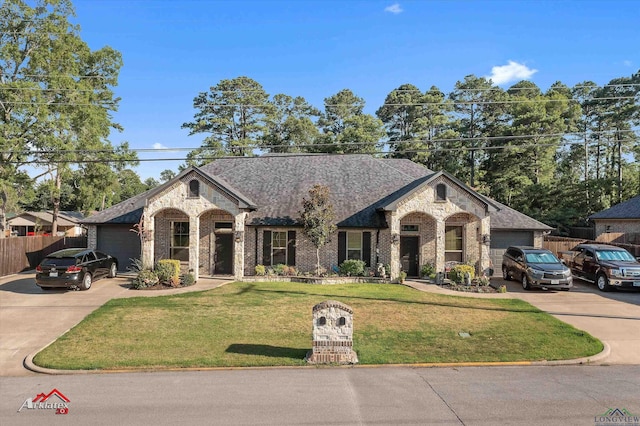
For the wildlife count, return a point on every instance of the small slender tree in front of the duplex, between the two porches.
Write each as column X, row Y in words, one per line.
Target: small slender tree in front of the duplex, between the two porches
column 317, row 217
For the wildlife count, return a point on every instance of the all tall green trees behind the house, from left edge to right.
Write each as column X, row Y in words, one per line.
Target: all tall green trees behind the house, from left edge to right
column 557, row 155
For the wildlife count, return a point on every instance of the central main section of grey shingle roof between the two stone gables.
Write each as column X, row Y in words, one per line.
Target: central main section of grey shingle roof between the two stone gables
column 277, row 184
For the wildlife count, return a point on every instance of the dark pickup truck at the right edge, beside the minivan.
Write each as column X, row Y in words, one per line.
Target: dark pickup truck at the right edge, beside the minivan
column 607, row 266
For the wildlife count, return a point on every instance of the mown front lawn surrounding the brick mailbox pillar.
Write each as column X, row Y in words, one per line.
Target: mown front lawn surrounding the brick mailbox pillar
column 268, row 324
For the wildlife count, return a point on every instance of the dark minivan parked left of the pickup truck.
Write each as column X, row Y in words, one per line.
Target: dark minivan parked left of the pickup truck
column 535, row 267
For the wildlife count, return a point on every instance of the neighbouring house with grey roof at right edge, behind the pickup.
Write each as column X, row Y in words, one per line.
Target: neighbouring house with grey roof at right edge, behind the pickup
column 623, row 218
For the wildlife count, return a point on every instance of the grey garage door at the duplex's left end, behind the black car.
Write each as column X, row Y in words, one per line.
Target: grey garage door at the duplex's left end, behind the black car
column 119, row 241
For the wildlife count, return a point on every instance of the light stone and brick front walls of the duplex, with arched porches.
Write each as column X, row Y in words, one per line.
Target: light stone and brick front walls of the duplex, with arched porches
column 213, row 204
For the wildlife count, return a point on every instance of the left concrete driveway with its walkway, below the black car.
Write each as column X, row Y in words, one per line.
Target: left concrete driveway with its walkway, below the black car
column 31, row 318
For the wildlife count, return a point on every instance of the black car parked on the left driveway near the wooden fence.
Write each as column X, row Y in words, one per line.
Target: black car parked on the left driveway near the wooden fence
column 75, row 269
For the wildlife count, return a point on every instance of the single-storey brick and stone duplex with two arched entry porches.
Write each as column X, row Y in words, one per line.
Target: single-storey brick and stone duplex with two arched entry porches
column 235, row 213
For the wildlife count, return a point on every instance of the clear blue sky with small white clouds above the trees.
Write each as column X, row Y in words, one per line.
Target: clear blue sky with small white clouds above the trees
column 172, row 50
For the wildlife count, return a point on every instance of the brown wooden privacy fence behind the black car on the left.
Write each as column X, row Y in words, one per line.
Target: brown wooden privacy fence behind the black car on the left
column 18, row 254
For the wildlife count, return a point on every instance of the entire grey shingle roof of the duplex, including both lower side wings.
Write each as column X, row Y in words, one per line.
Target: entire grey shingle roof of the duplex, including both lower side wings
column 360, row 185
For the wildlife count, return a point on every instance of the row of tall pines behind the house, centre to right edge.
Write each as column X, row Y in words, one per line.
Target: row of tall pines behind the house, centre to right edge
column 557, row 155
